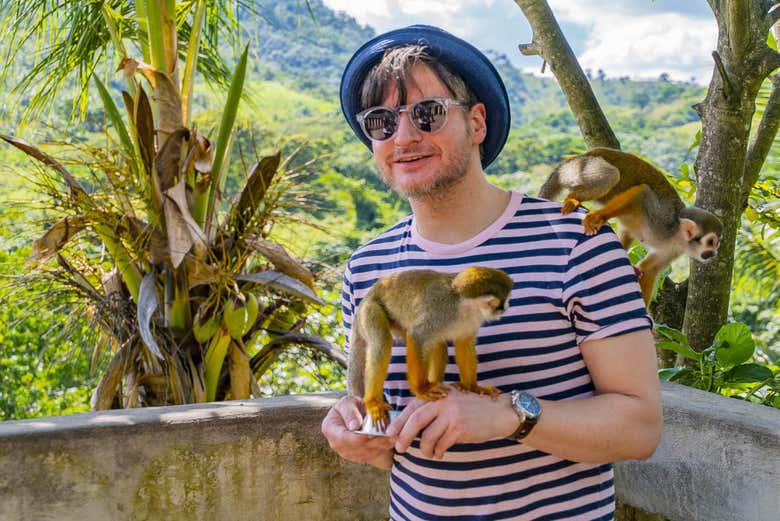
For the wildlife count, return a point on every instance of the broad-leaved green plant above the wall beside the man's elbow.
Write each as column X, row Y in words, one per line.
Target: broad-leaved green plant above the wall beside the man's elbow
column 725, row 367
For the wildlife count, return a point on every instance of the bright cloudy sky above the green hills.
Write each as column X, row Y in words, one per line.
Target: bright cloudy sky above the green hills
column 637, row 38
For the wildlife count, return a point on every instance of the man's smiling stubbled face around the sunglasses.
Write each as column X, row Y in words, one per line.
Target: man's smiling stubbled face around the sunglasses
column 417, row 164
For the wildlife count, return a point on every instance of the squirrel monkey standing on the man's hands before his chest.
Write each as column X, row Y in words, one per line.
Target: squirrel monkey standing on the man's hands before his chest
column 426, row 308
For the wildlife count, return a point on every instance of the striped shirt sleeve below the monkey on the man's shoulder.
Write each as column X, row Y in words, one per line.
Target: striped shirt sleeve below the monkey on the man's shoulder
column 600, row 290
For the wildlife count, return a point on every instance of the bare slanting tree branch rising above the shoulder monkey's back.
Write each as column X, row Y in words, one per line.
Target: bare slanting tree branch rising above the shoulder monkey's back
column 550, row 44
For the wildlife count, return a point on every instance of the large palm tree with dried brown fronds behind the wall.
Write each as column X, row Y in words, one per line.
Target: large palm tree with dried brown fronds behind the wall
column 194, row 303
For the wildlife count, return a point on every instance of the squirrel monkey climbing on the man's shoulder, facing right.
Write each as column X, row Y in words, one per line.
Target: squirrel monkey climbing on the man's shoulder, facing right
column 644, row 202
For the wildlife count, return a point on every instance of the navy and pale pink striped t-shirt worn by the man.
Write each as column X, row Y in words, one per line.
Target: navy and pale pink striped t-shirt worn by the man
column 568, row 288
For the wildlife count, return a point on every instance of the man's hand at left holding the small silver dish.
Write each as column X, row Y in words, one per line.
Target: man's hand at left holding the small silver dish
column 345, row 417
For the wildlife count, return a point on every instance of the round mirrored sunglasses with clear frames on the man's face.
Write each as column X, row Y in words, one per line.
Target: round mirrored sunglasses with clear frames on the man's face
column 427, row 115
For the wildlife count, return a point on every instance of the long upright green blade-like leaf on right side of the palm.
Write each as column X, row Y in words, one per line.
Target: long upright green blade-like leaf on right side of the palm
column 221, row 149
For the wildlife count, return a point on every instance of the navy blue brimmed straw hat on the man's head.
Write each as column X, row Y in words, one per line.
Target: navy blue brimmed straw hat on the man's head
column 459, row 56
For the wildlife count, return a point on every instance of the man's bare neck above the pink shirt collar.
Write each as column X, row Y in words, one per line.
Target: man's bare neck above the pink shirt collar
column 460, row 213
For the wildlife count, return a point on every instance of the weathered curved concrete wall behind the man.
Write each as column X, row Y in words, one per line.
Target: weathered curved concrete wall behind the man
column 266, row 460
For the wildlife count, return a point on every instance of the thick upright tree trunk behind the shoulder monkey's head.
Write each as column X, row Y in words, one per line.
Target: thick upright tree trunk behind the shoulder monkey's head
column 743, row 60
